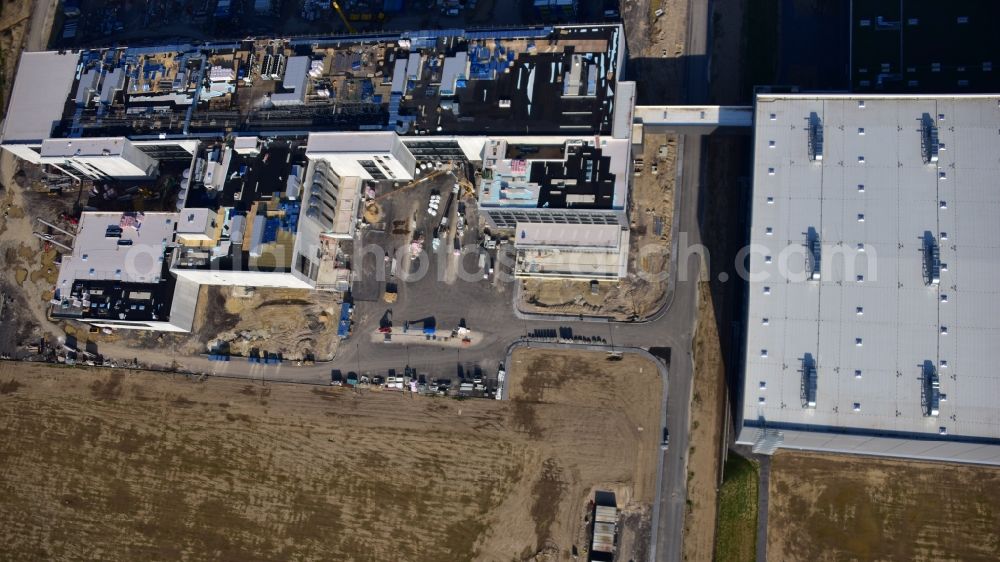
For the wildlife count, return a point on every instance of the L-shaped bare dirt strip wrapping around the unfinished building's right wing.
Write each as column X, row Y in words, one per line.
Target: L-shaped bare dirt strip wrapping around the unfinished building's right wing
column 644, row 291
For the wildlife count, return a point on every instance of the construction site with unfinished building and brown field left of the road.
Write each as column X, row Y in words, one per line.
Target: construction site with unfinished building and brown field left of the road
column 354, row 201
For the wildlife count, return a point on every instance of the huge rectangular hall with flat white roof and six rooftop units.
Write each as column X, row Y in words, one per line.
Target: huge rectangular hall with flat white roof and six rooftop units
column 873, row 314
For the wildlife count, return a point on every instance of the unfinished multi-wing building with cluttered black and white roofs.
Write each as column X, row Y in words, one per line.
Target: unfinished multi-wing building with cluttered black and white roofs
column 268, row 145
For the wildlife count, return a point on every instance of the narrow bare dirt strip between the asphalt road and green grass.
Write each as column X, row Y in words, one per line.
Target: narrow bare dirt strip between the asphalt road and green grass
column 706, row 433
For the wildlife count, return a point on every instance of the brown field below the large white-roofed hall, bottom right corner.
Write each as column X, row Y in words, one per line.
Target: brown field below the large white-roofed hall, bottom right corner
column 833, row 507
